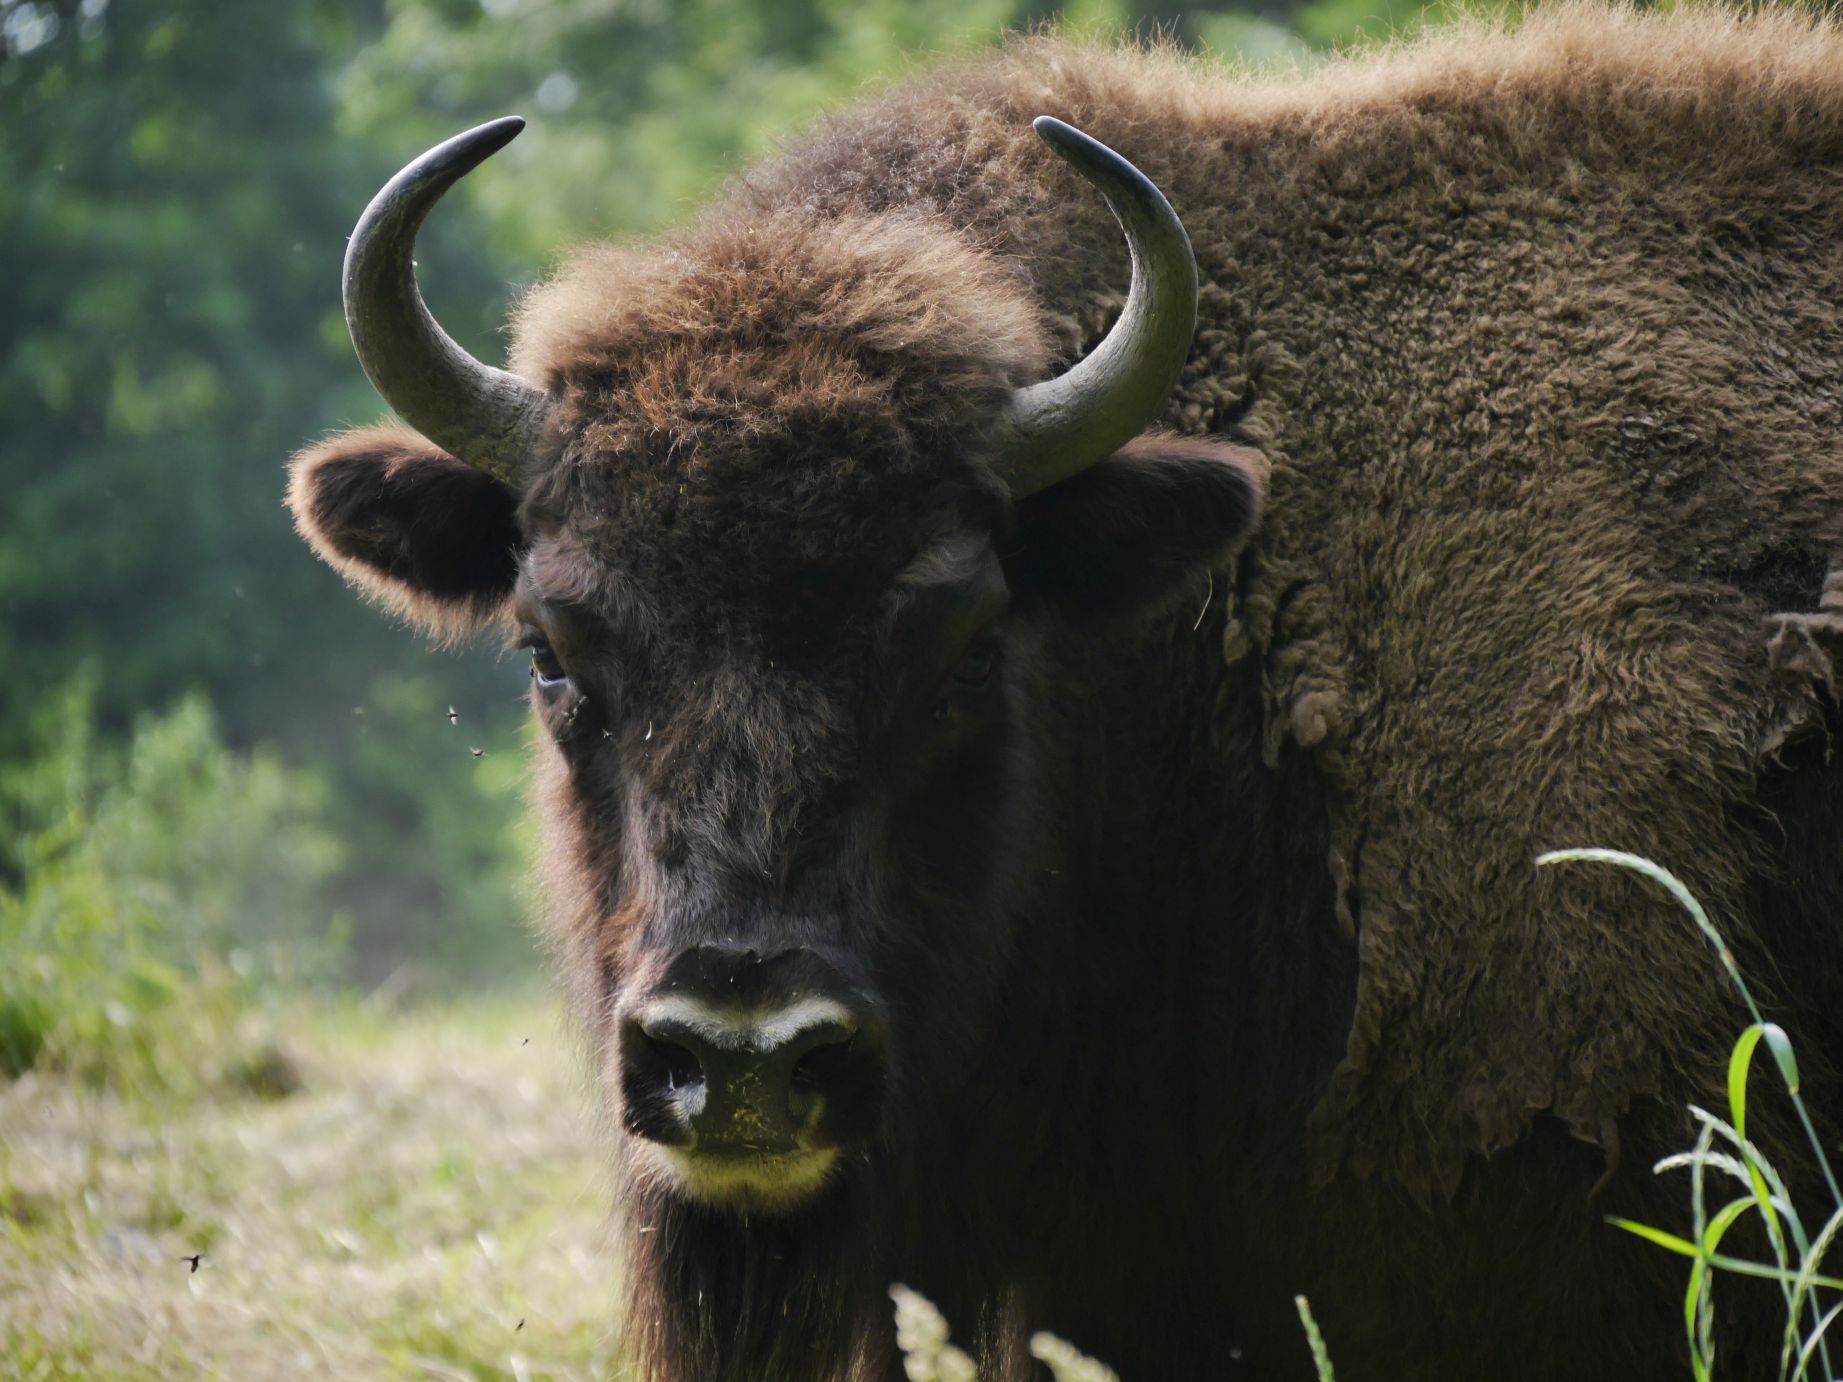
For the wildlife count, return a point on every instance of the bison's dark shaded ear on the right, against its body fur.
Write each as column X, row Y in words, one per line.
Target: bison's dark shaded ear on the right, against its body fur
column 1134, row 528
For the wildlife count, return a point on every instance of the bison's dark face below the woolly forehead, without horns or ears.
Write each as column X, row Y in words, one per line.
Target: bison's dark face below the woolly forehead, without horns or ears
column 779, row 830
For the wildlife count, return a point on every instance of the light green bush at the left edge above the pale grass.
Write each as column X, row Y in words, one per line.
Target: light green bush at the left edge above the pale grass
column 148, row 891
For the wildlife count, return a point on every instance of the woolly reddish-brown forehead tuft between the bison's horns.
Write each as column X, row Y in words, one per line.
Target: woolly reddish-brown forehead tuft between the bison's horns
column 773, row 406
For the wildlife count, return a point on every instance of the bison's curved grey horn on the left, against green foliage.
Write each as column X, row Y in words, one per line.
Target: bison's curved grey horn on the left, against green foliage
column 473, row 412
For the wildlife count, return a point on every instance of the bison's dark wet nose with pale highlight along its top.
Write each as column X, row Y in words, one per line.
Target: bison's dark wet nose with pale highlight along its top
column 725, row 1081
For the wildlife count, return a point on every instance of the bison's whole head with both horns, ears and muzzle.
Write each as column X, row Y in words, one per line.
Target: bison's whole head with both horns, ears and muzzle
column 803, row 561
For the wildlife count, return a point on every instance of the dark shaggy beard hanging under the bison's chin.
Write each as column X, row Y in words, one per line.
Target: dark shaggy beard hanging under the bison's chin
column 736, row 1296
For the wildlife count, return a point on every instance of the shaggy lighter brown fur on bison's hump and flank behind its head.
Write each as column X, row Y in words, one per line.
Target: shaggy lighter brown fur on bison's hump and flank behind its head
column 1540, row 334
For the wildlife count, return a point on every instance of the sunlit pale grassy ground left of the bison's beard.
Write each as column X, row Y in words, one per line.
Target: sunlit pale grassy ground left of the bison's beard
column 432, row 1184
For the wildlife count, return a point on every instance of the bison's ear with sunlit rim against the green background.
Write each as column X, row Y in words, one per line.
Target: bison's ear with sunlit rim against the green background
column 410, row 526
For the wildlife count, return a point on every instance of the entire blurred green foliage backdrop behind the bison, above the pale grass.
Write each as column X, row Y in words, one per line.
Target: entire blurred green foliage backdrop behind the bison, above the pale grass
column 209, row 747
